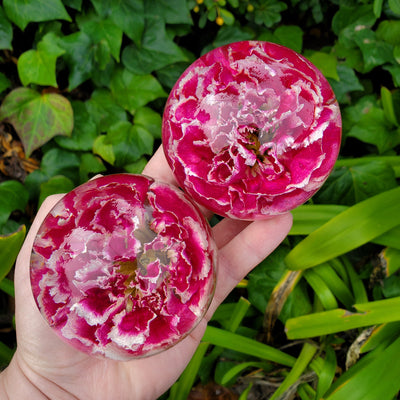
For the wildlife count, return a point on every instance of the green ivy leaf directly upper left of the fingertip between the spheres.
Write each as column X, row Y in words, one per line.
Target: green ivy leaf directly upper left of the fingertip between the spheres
column 129, row 142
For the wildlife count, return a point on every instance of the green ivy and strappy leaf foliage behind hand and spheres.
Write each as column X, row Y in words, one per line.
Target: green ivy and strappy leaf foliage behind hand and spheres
column 82, row 89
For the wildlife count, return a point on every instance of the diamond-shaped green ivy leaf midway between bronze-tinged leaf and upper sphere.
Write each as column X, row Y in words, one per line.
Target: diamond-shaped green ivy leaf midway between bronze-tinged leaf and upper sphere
column 104, row 110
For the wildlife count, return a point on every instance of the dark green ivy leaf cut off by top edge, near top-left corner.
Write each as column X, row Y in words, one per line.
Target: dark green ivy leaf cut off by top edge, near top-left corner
column 21, row 12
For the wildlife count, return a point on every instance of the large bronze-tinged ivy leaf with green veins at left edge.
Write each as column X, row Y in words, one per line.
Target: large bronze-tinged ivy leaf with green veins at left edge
column 36, row 117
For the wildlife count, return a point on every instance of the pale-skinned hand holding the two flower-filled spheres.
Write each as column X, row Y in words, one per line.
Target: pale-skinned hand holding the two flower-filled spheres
column 44, row 367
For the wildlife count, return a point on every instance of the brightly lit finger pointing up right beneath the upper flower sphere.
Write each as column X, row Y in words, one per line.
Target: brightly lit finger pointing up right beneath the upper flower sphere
column 245, row 251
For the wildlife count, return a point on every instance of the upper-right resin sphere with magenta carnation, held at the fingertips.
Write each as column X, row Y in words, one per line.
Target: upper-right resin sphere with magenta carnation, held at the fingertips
column 251, row 129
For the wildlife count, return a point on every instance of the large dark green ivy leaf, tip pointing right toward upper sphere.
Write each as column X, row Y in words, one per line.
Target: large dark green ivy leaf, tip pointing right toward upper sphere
column 157, row 50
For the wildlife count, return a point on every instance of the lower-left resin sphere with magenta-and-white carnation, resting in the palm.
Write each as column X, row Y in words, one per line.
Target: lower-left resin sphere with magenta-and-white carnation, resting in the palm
column 123, row 266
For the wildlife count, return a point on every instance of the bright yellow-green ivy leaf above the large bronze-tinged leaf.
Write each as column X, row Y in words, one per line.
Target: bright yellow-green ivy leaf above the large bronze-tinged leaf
column 39, row 66
